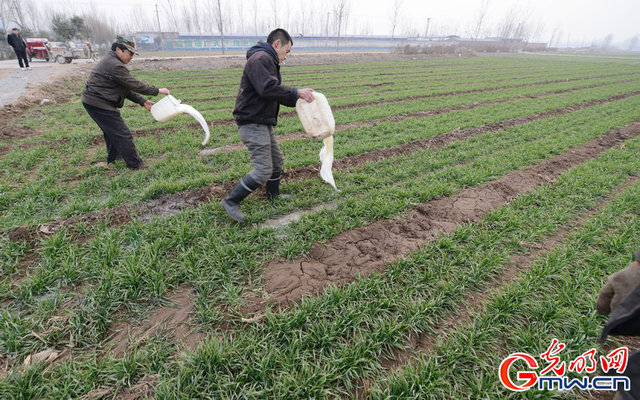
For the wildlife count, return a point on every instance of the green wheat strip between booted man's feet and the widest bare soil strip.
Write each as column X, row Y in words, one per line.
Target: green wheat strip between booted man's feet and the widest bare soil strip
column 133, row 267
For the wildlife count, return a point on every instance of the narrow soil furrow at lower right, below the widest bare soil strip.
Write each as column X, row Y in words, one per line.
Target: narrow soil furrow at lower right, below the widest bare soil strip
column 474, row 302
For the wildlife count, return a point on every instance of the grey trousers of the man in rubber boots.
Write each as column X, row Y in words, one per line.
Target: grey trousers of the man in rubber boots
column 265, row 154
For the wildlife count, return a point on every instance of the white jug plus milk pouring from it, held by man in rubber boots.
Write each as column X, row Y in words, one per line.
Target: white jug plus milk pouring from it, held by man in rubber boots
column 317, row 120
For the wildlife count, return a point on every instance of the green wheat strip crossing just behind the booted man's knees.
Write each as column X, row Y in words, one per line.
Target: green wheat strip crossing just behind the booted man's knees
column 38, row 200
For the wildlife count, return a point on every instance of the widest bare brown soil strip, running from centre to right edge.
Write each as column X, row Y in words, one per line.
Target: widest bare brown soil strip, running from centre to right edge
column 370, row 248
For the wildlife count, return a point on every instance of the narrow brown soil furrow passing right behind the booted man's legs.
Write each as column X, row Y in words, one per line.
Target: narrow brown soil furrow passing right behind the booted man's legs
column 173, row 203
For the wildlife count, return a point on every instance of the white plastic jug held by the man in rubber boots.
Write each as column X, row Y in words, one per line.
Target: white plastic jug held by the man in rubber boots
column 316, row 117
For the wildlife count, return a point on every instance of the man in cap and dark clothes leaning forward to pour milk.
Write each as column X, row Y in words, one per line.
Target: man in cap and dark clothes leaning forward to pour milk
column 109, row 83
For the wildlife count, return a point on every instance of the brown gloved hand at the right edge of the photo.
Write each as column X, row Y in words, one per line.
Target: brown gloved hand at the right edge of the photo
column 618, row 286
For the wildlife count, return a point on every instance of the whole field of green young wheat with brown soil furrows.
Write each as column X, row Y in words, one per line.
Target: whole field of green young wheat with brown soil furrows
column 483, row 202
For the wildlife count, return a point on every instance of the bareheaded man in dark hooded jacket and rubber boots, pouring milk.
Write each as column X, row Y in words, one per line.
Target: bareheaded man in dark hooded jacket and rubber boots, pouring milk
column 256, row 113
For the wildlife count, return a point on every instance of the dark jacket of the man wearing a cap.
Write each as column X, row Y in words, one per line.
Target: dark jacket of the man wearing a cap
column 111, row 82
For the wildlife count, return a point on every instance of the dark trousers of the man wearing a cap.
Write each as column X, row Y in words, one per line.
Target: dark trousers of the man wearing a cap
column 117, row 136
